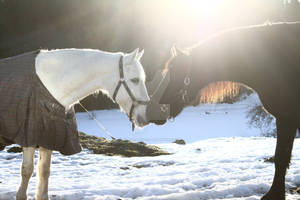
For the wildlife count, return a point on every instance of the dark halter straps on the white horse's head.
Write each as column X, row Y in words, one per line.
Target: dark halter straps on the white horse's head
column 122, row 81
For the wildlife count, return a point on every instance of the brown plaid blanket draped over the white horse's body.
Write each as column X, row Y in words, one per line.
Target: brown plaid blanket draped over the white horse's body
column 29, row 114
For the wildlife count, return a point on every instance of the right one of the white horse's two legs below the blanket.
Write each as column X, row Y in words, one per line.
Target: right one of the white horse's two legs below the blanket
column 43, row 173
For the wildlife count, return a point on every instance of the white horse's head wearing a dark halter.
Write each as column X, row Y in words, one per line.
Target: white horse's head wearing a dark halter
column 132, row 94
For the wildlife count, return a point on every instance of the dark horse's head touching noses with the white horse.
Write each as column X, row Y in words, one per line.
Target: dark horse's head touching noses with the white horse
column 169, row 89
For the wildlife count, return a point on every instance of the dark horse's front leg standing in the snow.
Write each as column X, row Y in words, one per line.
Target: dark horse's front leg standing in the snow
column 285, row 137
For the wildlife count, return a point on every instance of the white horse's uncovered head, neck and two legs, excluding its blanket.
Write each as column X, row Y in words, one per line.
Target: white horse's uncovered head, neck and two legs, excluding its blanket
column 72, row 74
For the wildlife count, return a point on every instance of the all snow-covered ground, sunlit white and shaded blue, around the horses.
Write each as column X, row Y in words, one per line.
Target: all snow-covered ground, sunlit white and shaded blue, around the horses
column 222, row 160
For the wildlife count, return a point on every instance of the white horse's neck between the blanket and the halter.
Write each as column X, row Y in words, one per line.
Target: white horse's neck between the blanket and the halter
column 70, row 75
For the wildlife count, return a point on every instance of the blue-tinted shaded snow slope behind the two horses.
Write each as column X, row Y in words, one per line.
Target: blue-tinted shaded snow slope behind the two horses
column 194, row 124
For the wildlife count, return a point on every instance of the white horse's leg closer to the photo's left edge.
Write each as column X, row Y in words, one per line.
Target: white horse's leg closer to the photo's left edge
column 26, row 172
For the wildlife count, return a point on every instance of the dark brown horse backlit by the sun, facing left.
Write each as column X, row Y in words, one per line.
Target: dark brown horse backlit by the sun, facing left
column 265, row 58
